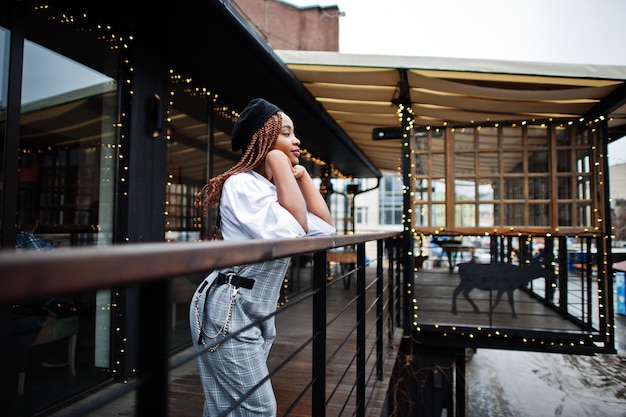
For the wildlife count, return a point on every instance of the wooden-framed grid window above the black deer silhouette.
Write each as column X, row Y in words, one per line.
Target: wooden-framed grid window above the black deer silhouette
column 509, row 170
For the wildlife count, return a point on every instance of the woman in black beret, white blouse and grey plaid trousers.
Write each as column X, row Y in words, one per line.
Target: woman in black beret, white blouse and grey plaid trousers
column 266, row 195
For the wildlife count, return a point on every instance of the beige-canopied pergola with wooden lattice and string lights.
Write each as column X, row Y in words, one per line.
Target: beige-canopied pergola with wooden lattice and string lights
column 513, row 154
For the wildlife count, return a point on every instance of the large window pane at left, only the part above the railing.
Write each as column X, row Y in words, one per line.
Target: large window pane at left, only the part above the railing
column 70, row 176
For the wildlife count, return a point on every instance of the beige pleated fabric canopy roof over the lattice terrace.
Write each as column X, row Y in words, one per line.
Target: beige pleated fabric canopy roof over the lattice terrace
column 358, row 91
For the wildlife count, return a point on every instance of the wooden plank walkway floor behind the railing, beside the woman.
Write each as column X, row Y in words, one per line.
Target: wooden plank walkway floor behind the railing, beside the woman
column 293, row 329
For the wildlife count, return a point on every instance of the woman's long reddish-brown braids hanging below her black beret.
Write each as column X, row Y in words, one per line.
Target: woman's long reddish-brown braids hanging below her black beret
column 261, row 143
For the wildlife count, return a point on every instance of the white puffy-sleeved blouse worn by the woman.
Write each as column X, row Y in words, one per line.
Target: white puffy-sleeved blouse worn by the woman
column 250, row 210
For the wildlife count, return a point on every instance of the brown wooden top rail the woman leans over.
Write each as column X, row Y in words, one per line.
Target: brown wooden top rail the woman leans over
column 26, row 275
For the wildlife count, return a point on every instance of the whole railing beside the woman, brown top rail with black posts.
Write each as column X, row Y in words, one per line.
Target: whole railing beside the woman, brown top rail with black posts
column 27, row 276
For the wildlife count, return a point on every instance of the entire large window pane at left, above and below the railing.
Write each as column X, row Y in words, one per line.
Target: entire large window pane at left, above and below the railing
column 67, row 161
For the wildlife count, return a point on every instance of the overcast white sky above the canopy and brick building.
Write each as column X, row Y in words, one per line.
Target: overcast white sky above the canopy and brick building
column 560, row 31
